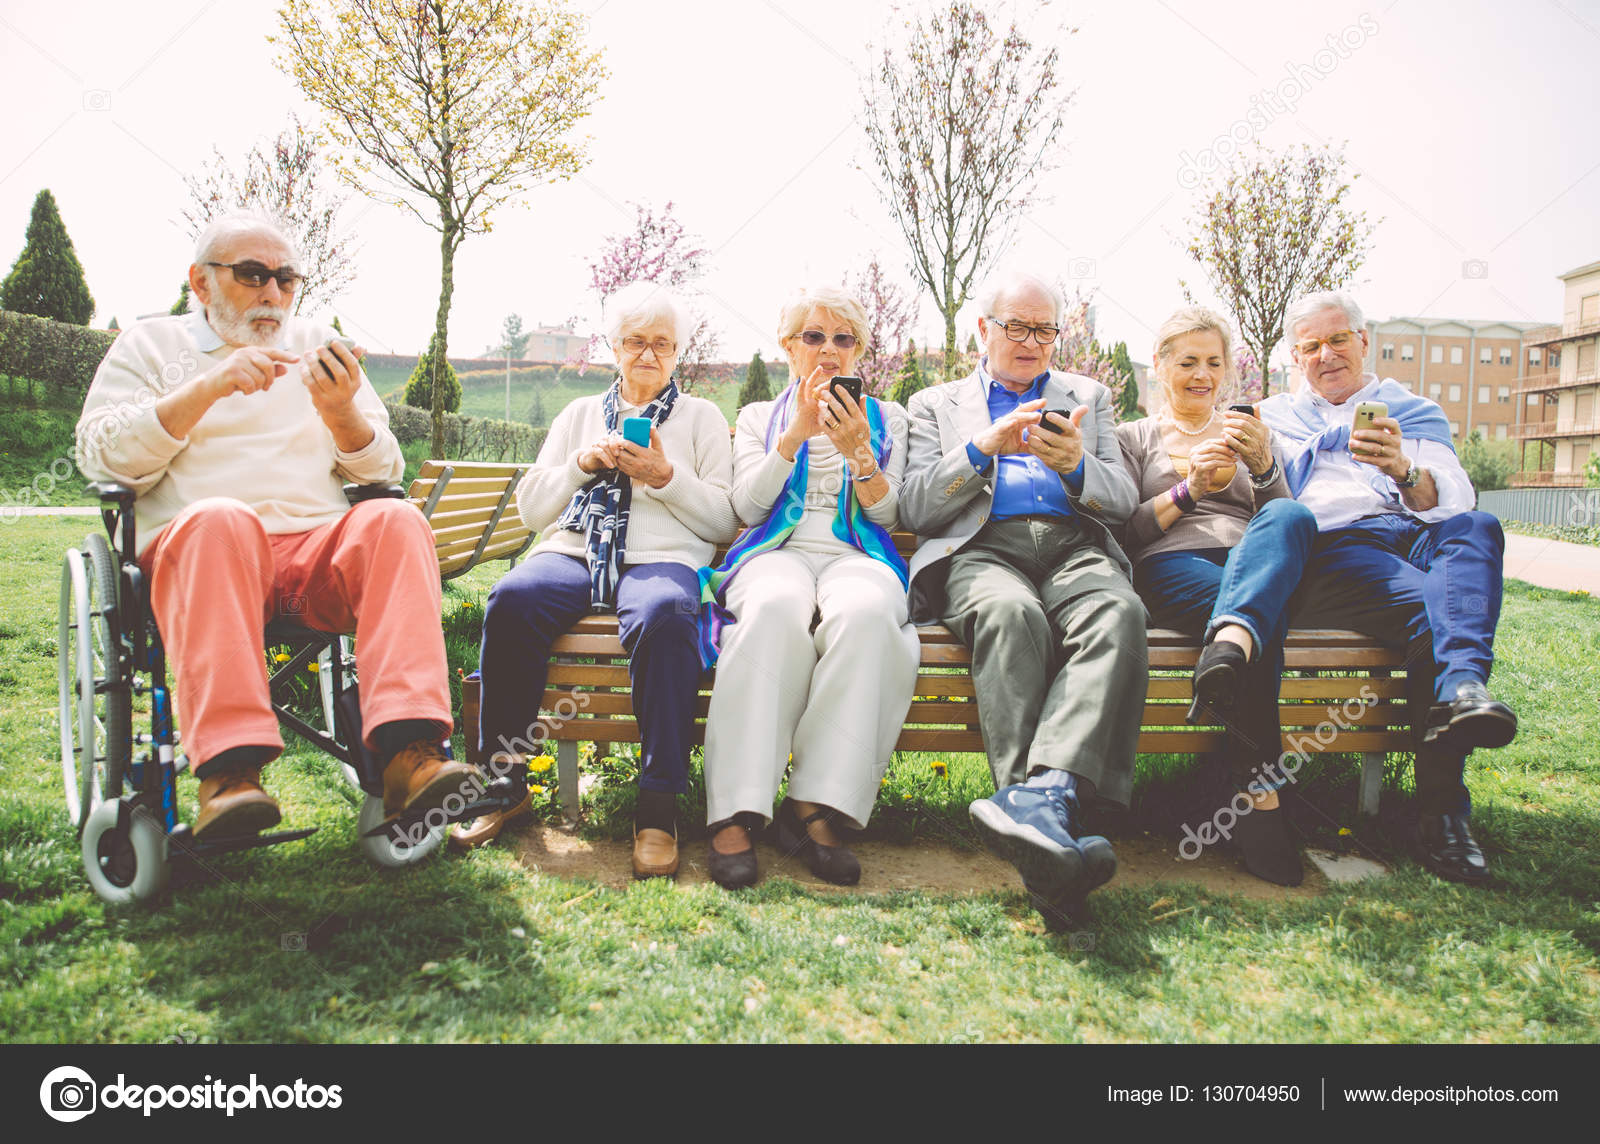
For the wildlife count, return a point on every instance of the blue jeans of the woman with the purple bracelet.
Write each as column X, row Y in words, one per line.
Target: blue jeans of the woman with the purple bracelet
column 1250, row 585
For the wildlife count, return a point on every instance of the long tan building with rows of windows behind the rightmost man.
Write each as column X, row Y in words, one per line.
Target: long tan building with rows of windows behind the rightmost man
column 1471, row 369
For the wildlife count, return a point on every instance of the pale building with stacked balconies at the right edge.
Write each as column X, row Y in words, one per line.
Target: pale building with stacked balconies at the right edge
column 1561, row 425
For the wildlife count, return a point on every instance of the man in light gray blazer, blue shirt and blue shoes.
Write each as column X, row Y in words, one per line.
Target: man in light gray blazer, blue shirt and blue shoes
column 1015, row 556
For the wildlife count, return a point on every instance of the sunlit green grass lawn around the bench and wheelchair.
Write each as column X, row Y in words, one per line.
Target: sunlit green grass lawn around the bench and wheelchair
column 486, row 950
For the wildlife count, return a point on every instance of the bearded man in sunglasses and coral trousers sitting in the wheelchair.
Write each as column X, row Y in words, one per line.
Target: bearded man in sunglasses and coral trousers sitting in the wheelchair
column 236, row 426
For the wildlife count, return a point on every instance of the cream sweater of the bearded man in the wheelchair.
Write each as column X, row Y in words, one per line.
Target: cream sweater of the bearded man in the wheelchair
column 270, row 450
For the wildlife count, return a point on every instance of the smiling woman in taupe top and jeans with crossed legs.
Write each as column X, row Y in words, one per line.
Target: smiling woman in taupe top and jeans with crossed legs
column 1218, row 548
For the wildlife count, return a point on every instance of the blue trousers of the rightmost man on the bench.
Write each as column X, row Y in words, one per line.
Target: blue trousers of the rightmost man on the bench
column 1431, row 590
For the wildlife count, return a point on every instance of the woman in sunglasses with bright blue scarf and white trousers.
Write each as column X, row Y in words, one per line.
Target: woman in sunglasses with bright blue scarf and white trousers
column 806, row 618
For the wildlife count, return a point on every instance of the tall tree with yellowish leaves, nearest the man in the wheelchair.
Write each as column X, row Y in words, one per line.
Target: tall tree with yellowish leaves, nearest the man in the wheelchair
column 446, row 108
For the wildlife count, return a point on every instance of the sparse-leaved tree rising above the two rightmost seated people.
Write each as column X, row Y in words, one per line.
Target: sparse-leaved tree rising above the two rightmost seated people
column 1273, row 228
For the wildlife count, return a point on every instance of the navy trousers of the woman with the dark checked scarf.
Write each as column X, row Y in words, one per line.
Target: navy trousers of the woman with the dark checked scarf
column 657, row 610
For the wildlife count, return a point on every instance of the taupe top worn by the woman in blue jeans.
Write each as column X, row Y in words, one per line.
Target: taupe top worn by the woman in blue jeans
column 1217, row 522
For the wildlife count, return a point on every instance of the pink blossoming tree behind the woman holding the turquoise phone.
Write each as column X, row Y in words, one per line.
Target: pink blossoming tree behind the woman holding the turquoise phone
column 655, row 250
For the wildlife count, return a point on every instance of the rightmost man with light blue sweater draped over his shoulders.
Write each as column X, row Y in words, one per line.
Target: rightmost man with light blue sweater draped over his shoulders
column 1399, row 554
